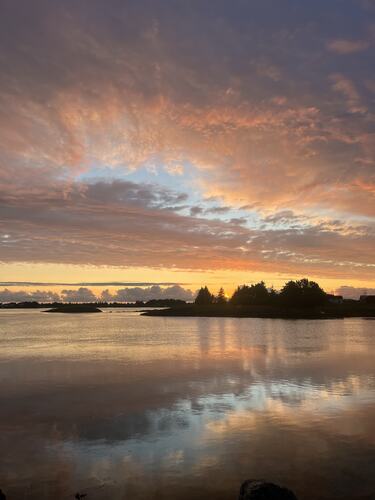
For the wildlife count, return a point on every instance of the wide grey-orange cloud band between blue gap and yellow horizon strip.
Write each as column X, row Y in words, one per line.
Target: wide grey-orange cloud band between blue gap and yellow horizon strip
column 90, row 225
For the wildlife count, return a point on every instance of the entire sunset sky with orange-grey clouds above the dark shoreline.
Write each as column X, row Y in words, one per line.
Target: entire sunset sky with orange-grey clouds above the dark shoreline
column 175, row 144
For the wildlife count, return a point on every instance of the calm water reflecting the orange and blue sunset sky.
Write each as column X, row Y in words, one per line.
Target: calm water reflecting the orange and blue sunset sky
column 127, row 407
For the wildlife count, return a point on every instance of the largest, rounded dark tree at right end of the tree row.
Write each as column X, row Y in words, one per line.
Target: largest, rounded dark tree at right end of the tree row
column 302, row 293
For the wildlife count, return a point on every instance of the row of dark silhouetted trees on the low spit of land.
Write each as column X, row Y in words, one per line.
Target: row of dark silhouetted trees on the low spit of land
column 298, row 293
